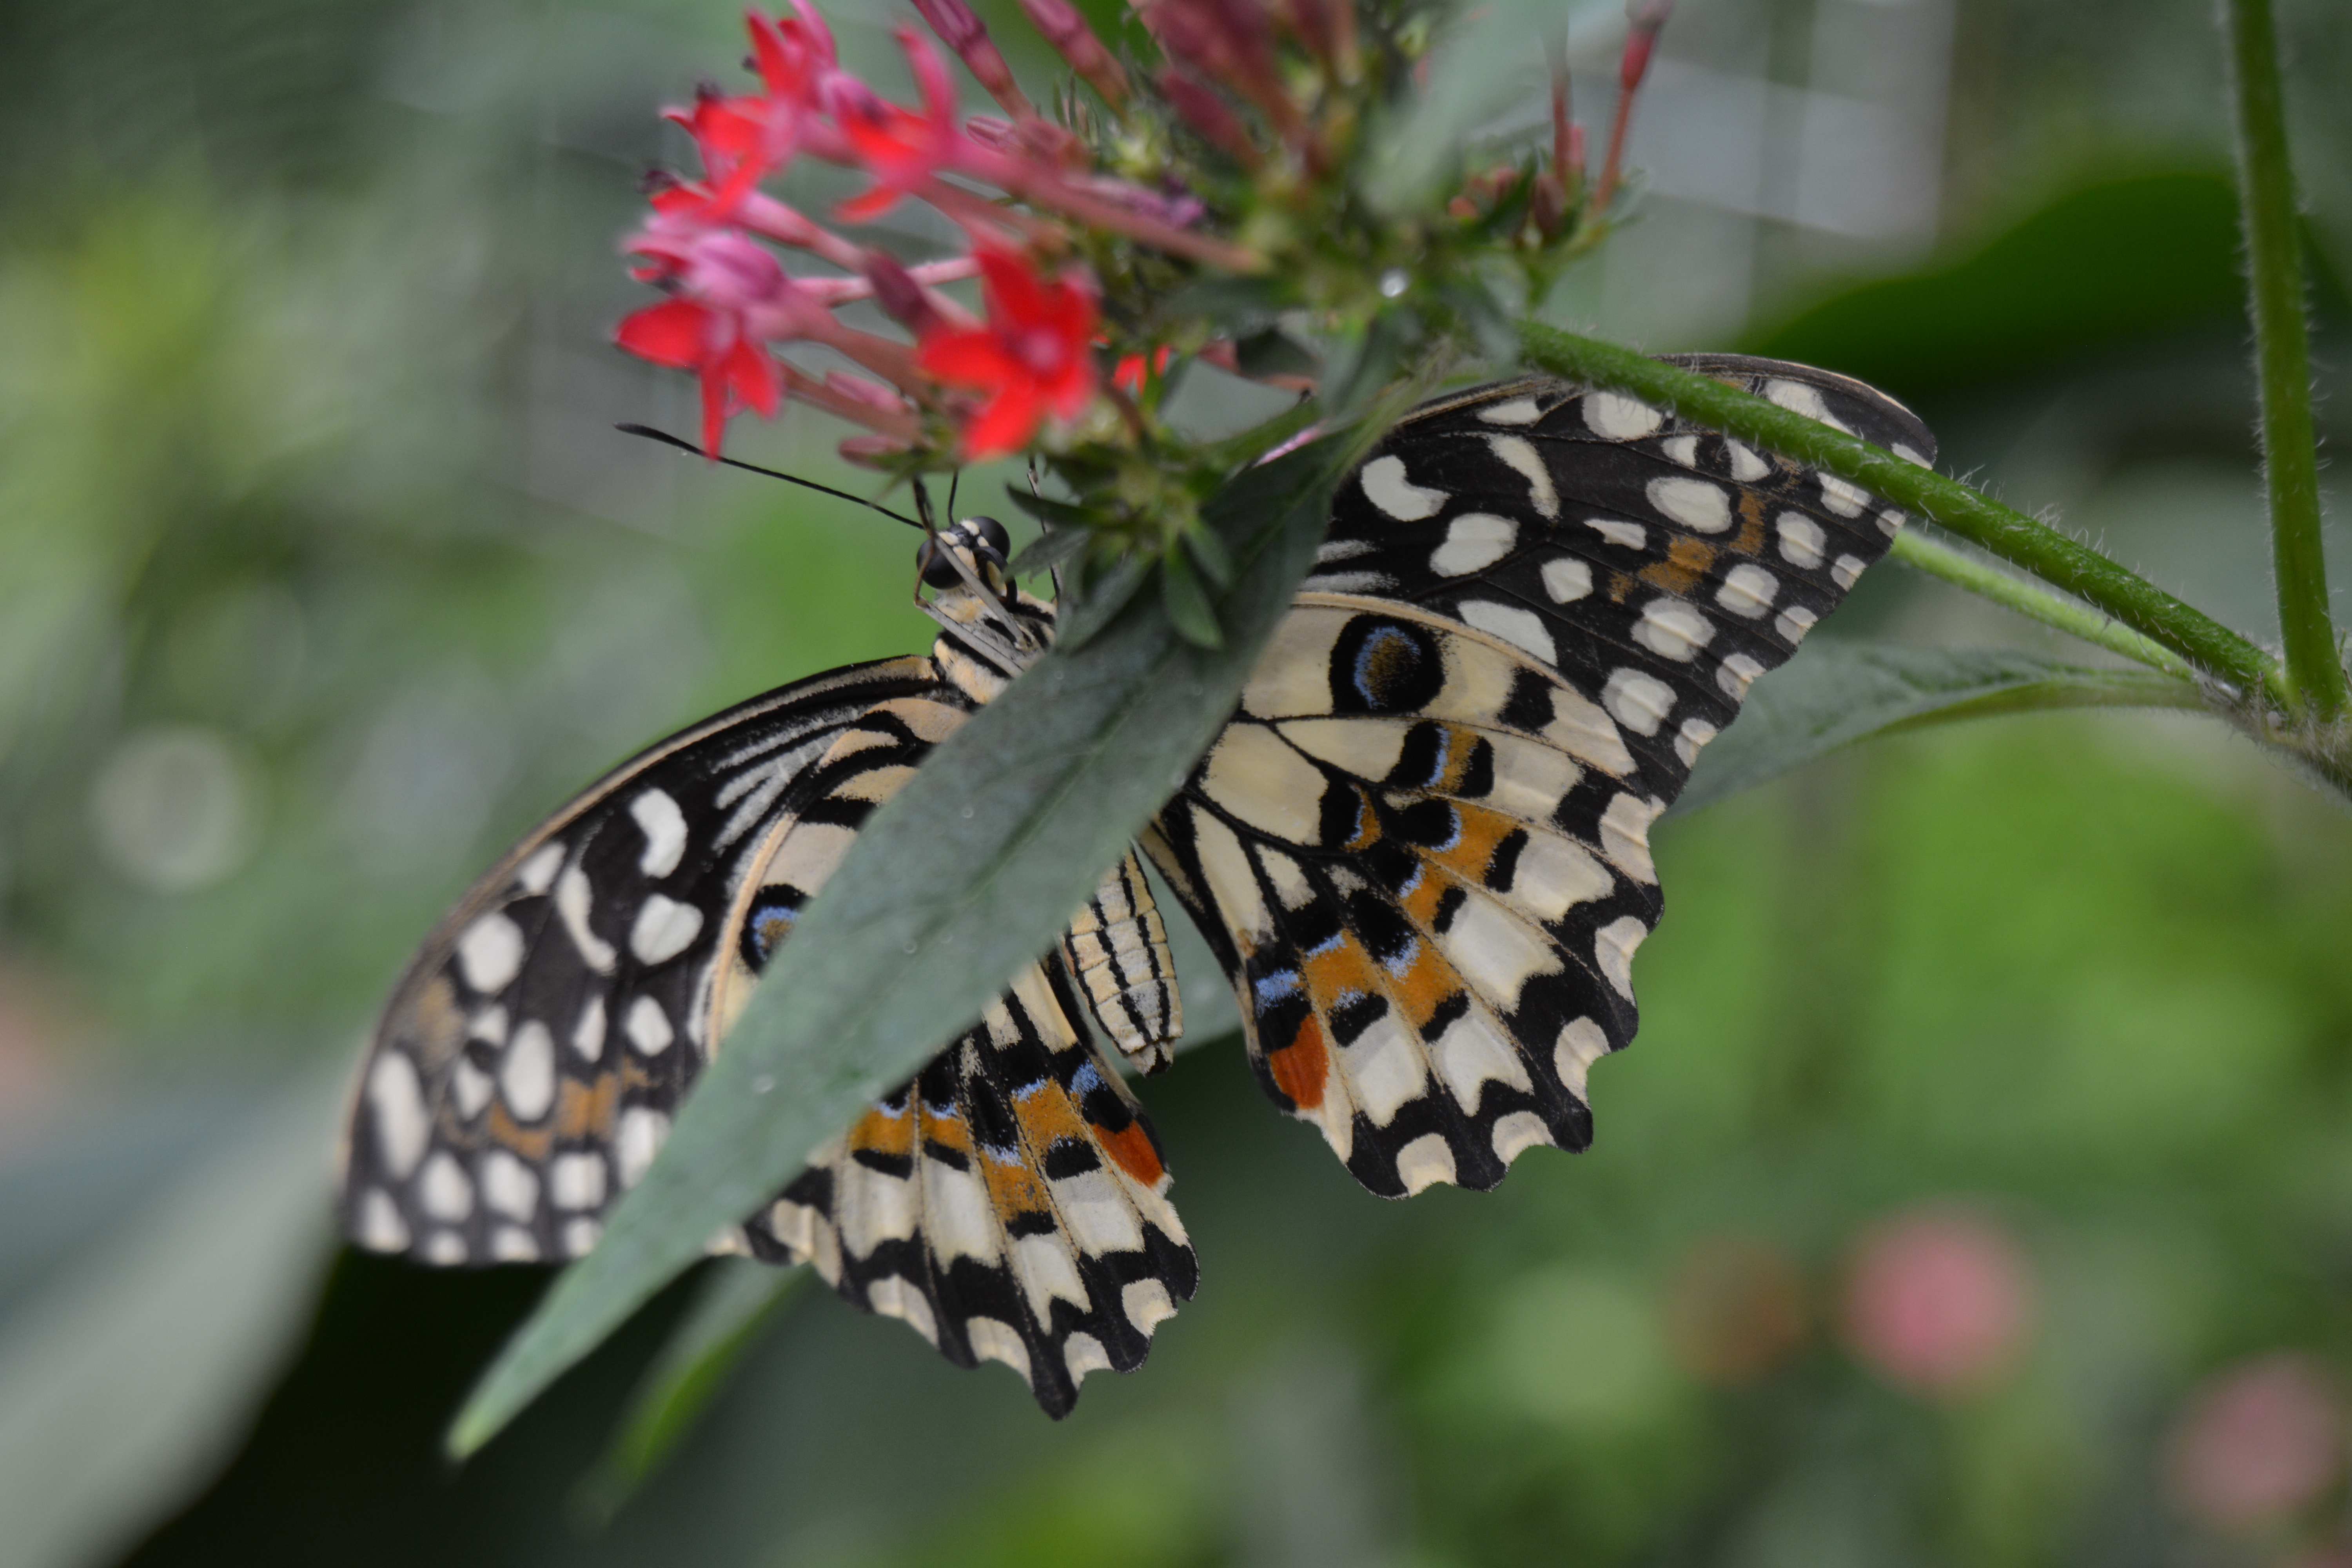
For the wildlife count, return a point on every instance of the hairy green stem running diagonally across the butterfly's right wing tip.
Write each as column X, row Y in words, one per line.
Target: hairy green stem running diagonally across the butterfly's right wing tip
column 1977, row 518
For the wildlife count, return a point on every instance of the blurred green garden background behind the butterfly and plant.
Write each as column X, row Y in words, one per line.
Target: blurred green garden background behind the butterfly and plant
column 1979, row 1191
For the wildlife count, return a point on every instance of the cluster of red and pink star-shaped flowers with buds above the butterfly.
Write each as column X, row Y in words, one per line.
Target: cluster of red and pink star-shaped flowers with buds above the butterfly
column 1234, row 159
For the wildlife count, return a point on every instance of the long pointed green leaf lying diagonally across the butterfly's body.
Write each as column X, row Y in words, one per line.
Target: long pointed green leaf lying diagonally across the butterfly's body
column 954, row 885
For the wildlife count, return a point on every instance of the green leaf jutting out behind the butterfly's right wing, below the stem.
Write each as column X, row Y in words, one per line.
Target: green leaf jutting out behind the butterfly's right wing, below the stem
column 1843, row 692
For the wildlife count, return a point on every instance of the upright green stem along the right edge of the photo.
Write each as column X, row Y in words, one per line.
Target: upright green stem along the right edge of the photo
column 2283, row 354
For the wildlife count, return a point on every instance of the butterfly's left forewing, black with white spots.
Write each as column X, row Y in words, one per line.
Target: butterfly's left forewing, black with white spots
column 533, row 1057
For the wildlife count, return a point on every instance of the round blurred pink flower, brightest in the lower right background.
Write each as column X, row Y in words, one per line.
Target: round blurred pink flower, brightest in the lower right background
column 1939, row 1301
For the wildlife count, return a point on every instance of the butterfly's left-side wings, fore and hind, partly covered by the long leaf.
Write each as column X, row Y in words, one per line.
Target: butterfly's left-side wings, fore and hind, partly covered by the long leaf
column 535, row 1054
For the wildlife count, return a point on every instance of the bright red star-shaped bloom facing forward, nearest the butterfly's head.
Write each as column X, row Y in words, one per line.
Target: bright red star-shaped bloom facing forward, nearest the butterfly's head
column 1034, row 359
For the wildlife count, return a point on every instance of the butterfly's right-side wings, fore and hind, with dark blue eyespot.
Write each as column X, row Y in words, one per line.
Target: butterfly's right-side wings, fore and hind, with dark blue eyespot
column 1422, row 847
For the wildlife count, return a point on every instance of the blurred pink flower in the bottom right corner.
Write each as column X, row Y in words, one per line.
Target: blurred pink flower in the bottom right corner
column 2259, row 1442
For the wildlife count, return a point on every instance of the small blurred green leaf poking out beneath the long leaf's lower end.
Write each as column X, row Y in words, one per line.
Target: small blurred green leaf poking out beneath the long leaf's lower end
column 737, row 1301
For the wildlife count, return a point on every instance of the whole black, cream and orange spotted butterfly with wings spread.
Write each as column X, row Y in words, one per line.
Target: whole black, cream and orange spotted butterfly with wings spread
column 1419, row 852
